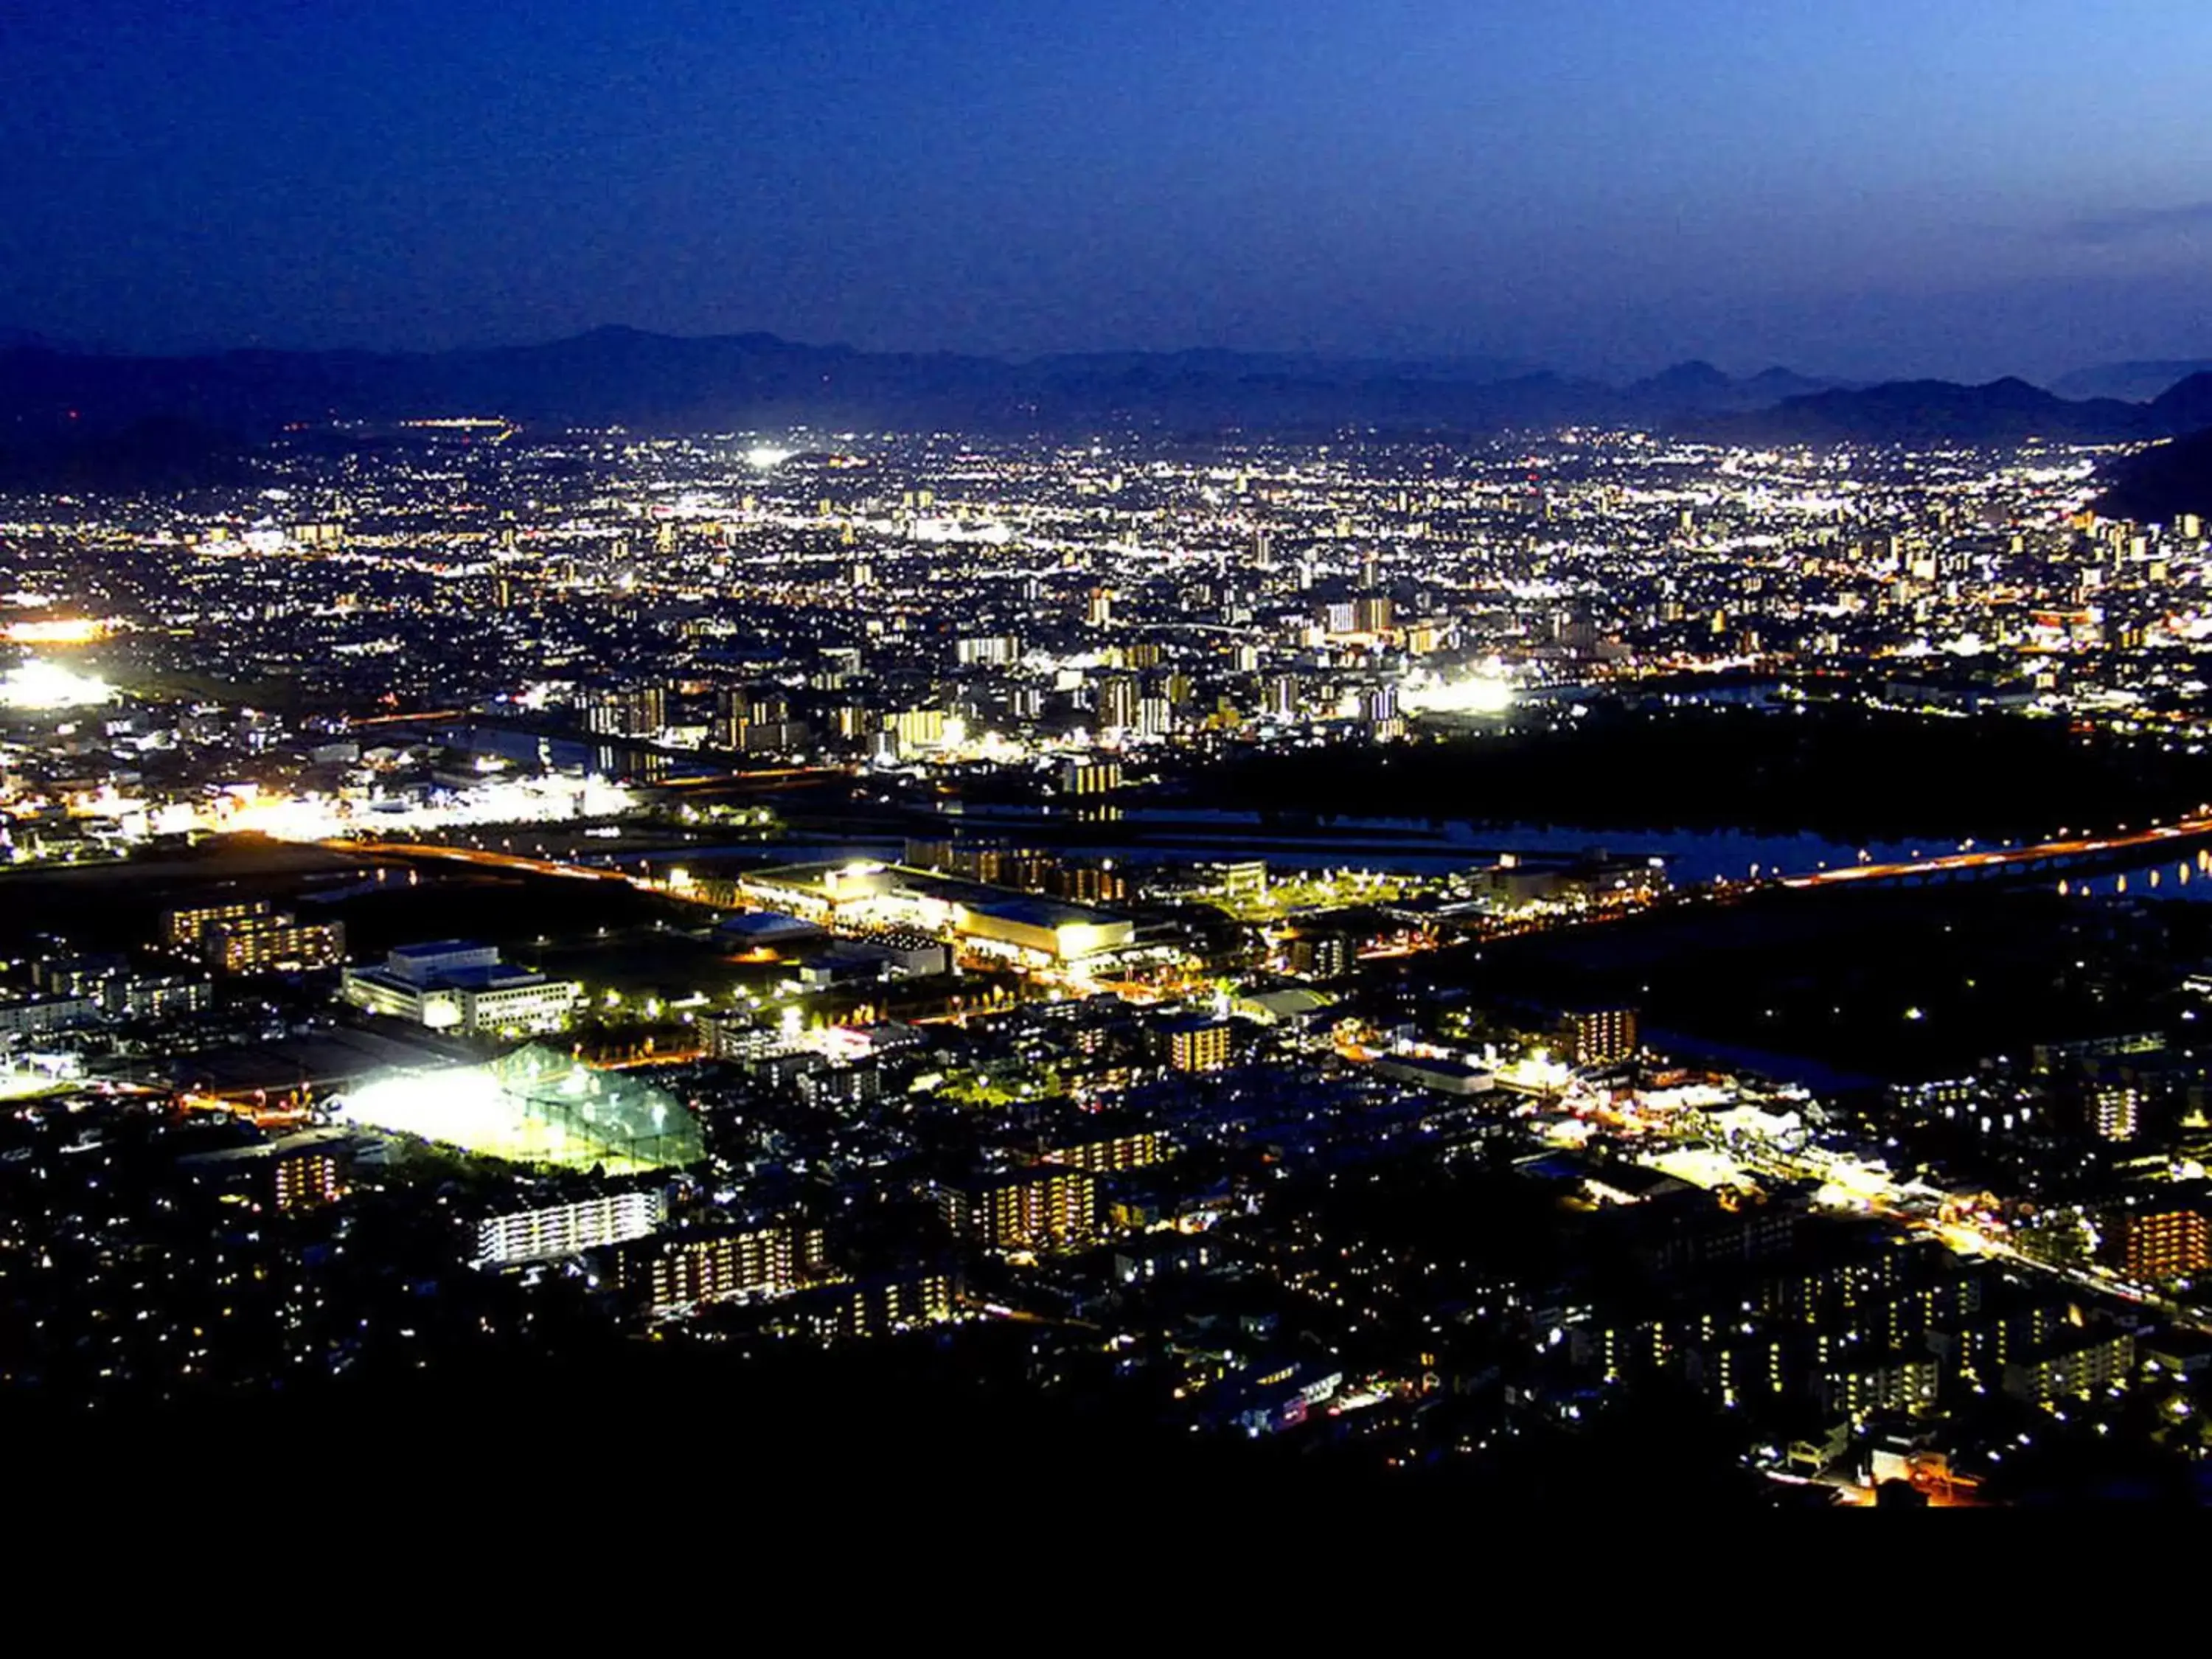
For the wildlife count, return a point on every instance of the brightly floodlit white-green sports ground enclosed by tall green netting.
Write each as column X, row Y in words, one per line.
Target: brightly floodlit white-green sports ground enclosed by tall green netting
column 534, row 1107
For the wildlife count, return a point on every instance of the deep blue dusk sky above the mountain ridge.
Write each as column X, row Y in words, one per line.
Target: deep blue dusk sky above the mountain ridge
column 1853, row 187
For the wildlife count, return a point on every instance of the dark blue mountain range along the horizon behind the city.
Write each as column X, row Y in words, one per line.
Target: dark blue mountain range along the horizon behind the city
column 623, row 377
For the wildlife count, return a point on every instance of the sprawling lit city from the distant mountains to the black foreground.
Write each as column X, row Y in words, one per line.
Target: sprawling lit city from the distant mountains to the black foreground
column 1510, row 966
